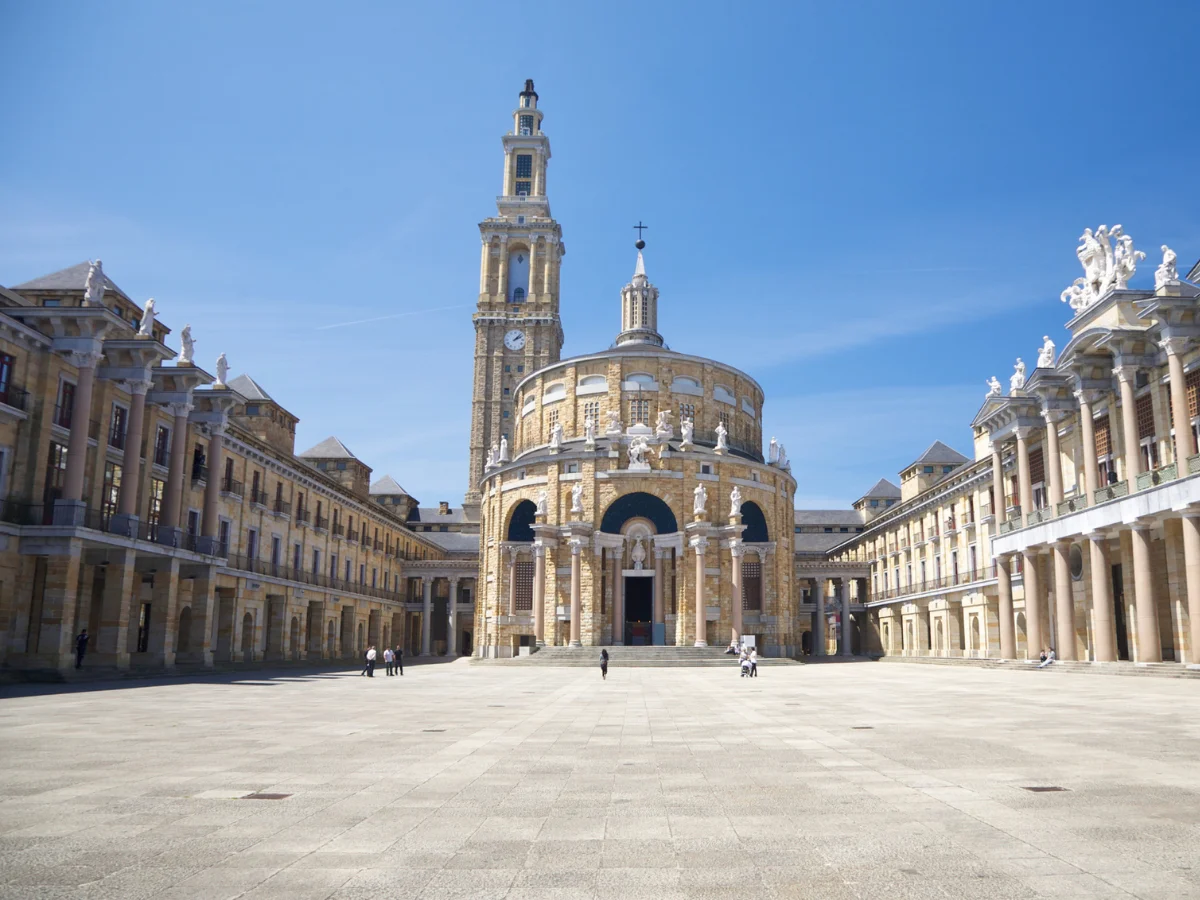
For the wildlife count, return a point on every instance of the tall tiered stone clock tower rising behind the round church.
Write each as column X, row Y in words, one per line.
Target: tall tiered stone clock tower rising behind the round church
column 518, row 328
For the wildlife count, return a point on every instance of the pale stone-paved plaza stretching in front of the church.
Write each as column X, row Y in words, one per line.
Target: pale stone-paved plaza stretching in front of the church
column 857, row 781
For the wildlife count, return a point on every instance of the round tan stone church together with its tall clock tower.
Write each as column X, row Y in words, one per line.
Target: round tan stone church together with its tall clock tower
column 623, row 496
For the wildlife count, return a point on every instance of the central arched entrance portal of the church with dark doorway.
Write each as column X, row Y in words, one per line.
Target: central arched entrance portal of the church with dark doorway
column 635, row 573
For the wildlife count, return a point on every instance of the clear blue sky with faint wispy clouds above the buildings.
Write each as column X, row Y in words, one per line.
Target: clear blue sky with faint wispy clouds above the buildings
column 871, row 208
